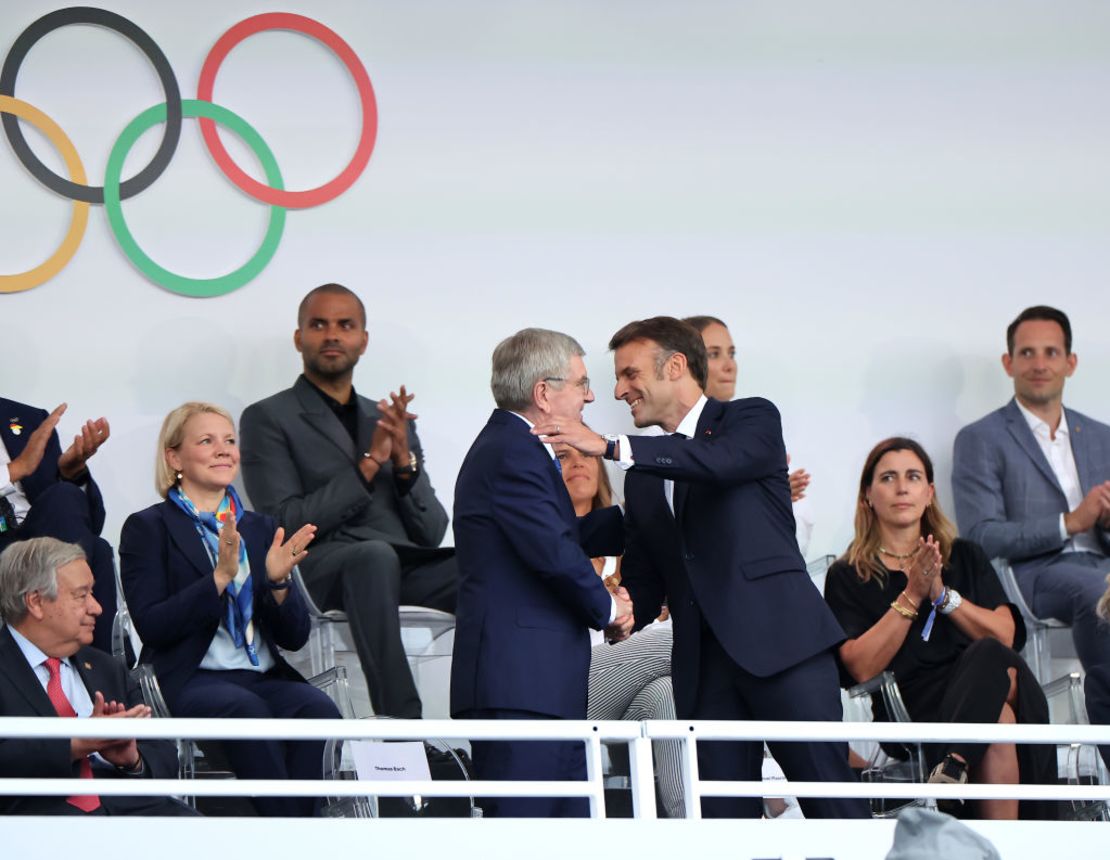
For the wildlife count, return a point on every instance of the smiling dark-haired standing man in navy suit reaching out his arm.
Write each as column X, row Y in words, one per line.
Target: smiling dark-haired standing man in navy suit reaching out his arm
column 710, row 530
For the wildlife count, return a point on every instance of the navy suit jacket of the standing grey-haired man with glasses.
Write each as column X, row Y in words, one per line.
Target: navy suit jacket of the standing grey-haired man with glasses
column 528, row 592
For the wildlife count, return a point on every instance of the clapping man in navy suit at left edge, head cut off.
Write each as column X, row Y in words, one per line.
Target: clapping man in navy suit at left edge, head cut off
column 46, row 492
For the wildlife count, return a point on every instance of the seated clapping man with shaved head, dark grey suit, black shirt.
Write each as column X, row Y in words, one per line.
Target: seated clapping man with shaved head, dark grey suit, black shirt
column 320, row 453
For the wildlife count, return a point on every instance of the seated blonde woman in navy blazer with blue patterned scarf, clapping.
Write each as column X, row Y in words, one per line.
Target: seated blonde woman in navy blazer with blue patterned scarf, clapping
column 208, row 585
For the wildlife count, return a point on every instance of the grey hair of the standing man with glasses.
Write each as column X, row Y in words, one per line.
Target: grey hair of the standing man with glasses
column 526, row 359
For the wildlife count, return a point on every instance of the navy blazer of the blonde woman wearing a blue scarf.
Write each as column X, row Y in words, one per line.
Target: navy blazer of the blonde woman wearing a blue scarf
column 173, row 598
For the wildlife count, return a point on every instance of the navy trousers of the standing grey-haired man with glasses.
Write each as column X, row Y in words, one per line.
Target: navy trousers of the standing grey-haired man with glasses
column 530, row 761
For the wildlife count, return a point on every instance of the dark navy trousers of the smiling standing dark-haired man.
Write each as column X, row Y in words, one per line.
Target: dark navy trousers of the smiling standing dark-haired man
column 808, row 692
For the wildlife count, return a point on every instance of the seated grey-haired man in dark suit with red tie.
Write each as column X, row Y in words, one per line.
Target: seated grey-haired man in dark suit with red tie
column 47, row 671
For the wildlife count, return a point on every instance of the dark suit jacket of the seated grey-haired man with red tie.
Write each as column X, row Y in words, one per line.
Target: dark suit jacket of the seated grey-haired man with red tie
column 22, row 695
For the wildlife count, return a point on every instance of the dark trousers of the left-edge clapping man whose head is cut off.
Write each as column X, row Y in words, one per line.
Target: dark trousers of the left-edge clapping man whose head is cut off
column 63, row 512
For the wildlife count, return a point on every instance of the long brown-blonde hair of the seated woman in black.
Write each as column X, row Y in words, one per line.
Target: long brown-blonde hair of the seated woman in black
column 863, row 552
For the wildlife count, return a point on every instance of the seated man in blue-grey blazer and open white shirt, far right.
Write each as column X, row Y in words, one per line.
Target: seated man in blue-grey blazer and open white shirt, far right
column 1033, row 485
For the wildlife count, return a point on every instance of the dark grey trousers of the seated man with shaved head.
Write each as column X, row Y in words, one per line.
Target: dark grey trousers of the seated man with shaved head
column 369, row 581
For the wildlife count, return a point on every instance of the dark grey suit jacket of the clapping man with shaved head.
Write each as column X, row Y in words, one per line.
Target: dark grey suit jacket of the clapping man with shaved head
column 300, row 467
